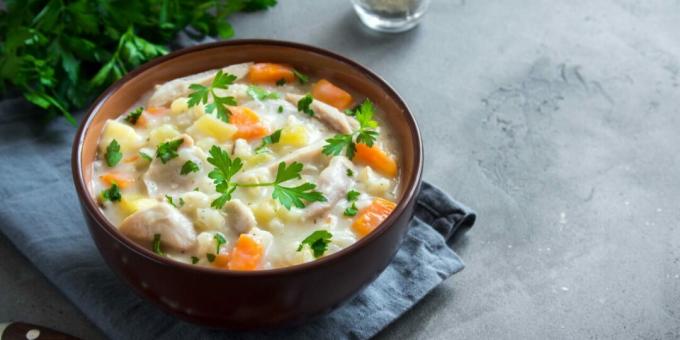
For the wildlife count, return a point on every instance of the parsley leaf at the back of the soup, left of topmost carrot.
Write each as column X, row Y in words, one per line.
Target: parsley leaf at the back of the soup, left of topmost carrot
column 201, row 94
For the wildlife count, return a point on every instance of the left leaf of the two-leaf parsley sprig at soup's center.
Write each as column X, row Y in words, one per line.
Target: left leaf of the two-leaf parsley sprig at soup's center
column 225, row 169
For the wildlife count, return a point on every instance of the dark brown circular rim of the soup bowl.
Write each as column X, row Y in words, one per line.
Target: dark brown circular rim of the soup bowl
column 89, row 204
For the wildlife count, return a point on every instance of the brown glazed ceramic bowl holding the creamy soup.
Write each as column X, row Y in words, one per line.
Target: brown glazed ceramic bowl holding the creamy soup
column 258, row 299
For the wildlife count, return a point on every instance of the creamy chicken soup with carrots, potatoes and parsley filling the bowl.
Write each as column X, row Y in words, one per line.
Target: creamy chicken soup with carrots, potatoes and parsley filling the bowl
column 252, row 166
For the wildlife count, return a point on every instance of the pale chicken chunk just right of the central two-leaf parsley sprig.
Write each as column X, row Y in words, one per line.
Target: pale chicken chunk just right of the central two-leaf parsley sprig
column 333, row 183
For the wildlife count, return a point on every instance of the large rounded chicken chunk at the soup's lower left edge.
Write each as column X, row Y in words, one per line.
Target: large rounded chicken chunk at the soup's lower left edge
column 176, row 230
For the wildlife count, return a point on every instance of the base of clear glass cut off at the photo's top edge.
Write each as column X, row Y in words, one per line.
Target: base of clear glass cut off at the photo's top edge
column 390, row 15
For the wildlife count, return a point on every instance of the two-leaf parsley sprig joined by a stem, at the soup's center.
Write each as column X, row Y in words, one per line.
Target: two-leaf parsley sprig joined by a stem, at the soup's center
column 226, row 168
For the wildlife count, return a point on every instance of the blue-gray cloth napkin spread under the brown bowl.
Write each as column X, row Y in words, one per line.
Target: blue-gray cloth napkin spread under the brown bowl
column 41, row 216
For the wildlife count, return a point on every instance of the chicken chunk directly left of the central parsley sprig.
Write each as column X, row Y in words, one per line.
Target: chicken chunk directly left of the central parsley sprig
column 166, row 179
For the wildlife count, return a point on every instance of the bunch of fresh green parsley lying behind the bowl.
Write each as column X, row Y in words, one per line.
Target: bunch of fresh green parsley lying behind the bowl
column 61, row 53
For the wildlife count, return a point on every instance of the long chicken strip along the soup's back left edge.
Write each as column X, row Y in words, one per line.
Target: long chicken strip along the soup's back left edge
column 179, row 87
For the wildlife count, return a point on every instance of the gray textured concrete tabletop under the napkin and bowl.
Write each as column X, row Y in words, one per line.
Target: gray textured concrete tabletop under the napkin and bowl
column 558, row 121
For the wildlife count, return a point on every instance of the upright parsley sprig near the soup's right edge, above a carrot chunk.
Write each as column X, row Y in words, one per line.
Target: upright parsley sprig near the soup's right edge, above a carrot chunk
column 365, row 135
